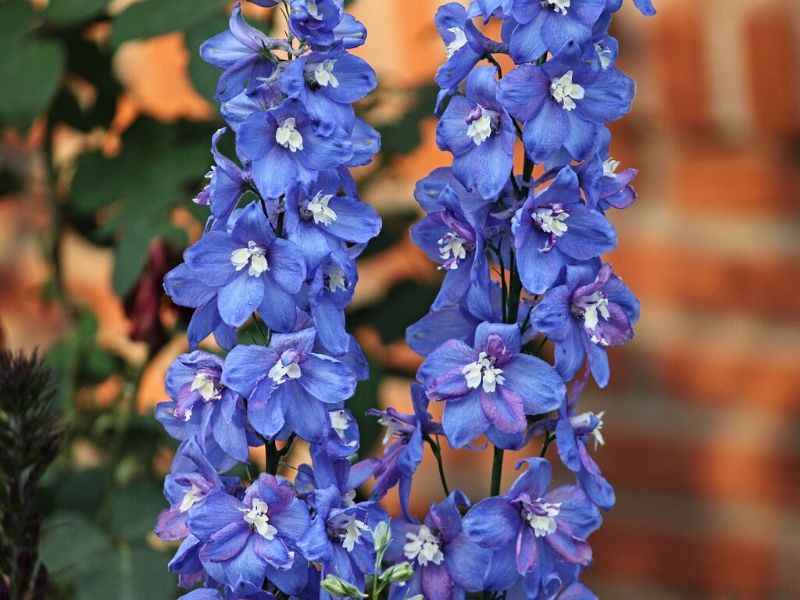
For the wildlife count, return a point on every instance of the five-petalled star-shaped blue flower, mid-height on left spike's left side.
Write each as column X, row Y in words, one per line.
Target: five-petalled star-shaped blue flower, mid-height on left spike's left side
column 252, row 268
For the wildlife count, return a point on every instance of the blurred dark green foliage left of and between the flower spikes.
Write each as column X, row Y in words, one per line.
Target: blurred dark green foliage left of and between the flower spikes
column 104, row 492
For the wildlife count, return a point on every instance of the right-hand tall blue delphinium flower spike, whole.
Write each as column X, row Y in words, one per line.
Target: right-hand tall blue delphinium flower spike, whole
column 521, row 256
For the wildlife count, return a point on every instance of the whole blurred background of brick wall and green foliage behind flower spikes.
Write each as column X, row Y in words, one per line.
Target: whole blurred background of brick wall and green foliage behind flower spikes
column 105, row 121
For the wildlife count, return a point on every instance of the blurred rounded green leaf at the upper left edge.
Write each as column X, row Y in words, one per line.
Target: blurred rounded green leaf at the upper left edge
column 31, row 75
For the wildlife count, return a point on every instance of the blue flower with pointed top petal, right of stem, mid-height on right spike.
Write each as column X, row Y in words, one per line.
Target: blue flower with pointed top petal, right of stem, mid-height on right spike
column 554, row 228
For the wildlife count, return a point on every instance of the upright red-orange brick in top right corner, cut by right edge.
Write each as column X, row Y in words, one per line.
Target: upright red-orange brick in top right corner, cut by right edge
column 773, row 67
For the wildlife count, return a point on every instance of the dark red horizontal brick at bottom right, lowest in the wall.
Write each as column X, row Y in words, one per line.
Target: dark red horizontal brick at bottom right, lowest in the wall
column 723, row 567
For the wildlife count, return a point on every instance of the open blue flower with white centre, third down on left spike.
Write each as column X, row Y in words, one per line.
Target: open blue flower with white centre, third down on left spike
column 284, row 147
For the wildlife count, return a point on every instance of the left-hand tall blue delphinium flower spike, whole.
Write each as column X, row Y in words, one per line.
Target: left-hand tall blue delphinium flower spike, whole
column 277, row 254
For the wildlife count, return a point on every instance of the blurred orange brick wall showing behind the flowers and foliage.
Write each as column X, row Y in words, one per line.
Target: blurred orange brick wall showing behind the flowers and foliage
column 703, row 412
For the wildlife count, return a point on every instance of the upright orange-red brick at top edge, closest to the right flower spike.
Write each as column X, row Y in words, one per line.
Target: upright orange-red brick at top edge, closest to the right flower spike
column 681, row 64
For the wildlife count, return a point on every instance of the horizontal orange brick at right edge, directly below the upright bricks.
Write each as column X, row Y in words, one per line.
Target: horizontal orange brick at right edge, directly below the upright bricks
column 761, row 181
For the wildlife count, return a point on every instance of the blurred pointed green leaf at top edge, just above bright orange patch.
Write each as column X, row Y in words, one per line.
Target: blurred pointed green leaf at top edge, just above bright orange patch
column 152, row 18
